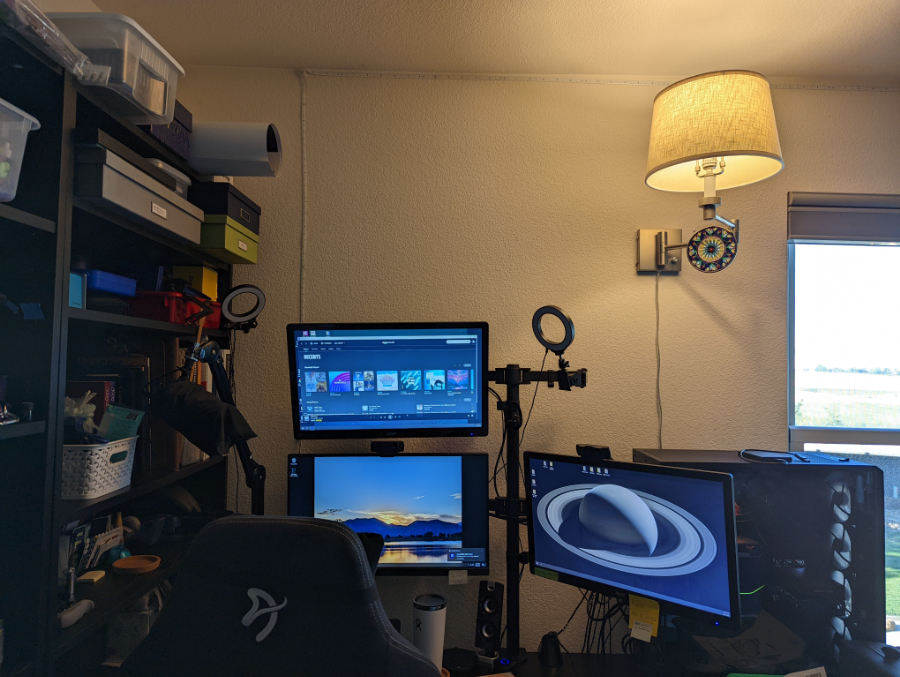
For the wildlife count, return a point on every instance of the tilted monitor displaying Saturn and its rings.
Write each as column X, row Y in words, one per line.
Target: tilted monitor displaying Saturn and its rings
column 659, row 532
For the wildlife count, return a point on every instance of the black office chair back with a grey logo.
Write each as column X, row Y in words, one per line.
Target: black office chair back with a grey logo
column 276, row 596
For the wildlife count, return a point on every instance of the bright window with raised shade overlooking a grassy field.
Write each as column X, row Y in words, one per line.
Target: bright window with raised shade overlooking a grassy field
column 844, row 344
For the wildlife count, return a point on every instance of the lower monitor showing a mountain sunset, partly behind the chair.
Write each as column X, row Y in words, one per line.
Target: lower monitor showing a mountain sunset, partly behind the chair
column 431, row 509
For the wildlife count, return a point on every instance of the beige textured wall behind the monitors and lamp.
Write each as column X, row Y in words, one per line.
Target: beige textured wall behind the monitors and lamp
column 435, row 199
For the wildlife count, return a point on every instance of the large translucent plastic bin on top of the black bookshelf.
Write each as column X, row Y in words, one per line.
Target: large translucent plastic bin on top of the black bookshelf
column 143, row 76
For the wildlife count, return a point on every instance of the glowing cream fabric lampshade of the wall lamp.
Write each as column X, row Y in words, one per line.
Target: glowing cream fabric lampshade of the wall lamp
column 726, row 114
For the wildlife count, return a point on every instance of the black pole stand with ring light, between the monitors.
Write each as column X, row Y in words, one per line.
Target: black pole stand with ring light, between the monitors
column 511, row 507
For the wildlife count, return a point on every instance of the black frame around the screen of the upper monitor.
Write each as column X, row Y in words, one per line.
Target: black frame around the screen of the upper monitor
column 382, row 433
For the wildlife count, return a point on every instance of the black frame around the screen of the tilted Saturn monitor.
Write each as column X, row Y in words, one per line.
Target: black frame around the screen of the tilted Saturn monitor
column 725, row 480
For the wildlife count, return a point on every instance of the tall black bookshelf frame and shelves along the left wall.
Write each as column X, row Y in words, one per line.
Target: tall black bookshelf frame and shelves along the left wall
column 46, row 229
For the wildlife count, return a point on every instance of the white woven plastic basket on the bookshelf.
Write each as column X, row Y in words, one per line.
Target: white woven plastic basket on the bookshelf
column 93, row 470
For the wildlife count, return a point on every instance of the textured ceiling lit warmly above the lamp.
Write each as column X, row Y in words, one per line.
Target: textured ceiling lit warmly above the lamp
column 847, row 41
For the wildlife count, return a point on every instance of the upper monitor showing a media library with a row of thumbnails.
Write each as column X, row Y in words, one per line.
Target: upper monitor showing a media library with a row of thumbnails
column 389, row 380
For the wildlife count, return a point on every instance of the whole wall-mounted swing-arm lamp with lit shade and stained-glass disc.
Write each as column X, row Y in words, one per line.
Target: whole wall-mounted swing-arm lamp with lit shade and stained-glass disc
column 711, row 131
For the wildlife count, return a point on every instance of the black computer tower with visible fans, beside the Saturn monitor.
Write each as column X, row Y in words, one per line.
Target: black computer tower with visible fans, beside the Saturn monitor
column 810, row 541
